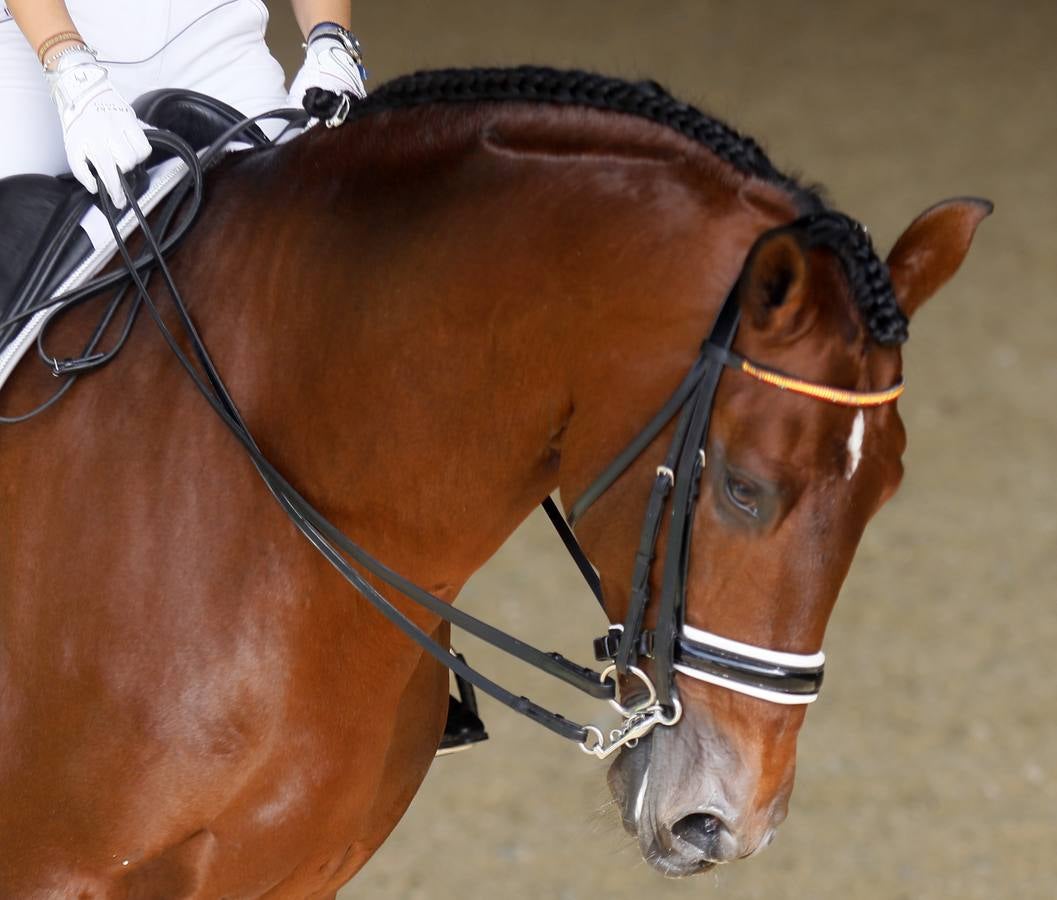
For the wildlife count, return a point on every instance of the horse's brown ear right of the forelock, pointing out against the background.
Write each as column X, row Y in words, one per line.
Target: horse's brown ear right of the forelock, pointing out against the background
column 931, row 251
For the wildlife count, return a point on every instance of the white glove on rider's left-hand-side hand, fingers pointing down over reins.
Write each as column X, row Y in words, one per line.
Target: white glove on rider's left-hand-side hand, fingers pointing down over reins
column 98, row 125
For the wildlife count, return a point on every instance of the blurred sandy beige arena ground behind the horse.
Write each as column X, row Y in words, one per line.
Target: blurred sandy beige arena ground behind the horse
column 930, row 767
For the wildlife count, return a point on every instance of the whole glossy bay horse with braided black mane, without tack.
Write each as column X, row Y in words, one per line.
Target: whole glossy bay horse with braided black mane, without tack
column 474, row 293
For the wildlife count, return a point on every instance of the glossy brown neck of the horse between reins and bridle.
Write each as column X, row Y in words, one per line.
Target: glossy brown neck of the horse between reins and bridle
column 458, row 293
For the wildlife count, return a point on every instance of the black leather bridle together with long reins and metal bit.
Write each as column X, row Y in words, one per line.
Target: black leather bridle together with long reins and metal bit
column 673, row 646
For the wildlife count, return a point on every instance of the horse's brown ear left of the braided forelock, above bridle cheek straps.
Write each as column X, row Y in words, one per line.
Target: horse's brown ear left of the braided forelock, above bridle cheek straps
column 774, row 286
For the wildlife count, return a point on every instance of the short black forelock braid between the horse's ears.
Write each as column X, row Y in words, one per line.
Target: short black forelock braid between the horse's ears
column 867, row 274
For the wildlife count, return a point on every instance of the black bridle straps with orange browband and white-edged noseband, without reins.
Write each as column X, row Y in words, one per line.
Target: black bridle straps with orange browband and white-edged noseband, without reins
column 776, row 676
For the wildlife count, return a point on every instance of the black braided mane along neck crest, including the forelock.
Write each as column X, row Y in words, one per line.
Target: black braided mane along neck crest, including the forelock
column 867, row 273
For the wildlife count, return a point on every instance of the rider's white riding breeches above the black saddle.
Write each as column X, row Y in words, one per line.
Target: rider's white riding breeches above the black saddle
column 215, row 47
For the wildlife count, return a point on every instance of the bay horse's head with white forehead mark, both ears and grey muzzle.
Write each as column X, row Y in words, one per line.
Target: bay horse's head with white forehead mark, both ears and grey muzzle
column 788, row 488
